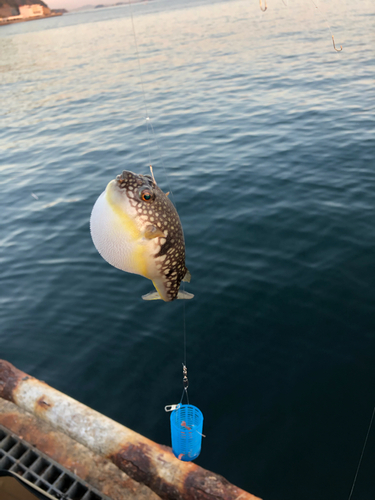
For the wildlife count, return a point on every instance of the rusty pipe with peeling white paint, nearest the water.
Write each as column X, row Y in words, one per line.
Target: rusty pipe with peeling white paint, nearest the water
column 143, row 460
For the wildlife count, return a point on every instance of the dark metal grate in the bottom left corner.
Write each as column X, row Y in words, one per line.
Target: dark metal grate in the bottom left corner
column 18, row 456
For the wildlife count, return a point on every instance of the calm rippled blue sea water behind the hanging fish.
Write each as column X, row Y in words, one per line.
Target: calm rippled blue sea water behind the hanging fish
column 266, row 137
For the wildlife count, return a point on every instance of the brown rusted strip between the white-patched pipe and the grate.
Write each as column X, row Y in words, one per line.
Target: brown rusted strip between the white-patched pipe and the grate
column 95, row 470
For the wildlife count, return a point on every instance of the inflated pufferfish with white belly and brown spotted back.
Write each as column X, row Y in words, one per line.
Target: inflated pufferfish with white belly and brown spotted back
column 136, row 228
